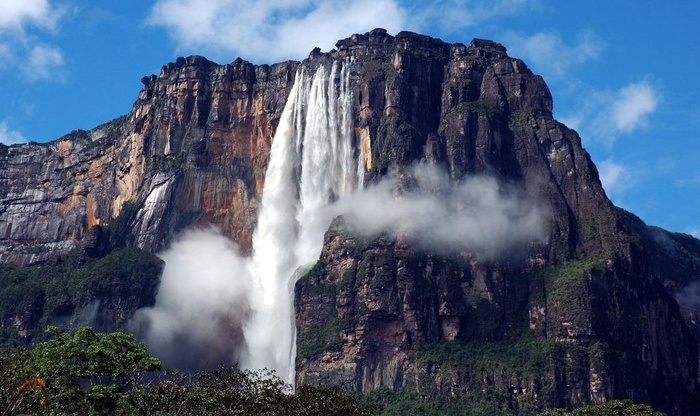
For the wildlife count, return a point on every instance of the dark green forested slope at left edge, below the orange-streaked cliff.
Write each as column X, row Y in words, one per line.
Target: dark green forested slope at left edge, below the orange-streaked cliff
column 69, row 288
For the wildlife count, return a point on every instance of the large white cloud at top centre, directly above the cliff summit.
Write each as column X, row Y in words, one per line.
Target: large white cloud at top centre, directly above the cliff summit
column 289, row 29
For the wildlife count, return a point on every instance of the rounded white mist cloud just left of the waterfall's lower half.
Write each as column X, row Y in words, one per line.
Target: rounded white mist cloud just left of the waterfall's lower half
column 201, row 304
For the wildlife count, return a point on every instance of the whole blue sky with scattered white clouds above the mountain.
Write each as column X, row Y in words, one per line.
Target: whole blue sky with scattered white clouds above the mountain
column 624, row 74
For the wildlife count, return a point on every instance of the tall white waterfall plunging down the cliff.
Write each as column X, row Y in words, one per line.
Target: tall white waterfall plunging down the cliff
column 313, row 161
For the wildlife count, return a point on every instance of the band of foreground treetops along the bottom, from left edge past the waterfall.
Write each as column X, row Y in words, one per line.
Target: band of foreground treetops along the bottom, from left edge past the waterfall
column 89, row 373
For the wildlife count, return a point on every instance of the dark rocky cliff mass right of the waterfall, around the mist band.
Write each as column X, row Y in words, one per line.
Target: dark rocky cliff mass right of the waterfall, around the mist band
column 368, row 311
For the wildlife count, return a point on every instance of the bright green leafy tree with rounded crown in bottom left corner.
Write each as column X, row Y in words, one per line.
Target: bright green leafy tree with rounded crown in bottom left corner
column 84, row 373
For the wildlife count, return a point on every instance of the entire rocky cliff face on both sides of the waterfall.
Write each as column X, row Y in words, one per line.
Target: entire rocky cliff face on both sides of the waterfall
column 588, row 311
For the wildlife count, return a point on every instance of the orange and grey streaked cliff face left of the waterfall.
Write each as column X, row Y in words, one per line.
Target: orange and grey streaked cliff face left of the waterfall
column 193, row 150
